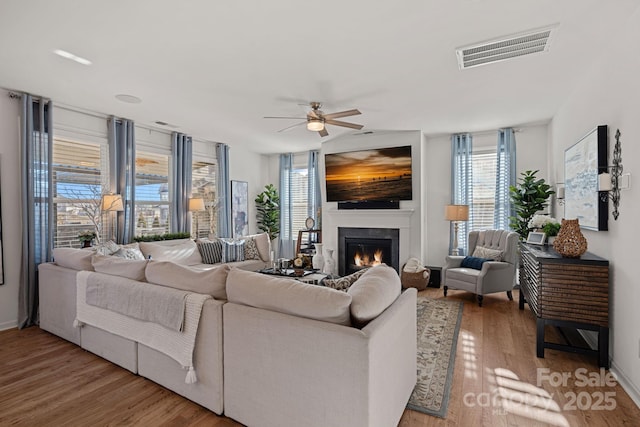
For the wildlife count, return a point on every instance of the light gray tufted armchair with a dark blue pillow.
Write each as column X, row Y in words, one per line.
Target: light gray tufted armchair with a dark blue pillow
column 484, row 277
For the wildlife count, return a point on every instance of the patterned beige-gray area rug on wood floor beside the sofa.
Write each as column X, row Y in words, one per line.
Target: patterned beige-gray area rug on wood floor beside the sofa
column 438, row 327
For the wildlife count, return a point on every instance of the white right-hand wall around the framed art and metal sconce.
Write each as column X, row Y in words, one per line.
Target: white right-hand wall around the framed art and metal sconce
column 609, row 94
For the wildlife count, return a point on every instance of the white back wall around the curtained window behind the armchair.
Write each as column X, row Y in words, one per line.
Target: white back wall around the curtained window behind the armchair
column 531, row 154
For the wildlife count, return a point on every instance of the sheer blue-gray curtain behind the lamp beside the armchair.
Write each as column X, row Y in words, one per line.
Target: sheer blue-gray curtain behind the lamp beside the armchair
column 461, row 185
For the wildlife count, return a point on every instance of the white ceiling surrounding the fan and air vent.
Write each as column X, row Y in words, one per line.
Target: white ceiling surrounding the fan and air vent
column 215, row 68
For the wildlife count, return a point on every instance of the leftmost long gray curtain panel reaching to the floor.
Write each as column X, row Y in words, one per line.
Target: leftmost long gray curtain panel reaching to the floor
column 36, row 124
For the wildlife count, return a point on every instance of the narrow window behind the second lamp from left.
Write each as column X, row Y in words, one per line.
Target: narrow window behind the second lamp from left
column 203, row 184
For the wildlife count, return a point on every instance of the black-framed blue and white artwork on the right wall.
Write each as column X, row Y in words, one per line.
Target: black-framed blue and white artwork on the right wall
column 583, row 161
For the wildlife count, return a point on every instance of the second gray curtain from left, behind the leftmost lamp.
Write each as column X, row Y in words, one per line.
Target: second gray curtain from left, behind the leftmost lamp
column 122, row 173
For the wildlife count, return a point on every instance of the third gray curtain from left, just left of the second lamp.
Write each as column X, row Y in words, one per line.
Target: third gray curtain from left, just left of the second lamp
column 182, row 160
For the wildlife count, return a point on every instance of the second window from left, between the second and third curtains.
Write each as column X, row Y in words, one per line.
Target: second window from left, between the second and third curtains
column 151, row 193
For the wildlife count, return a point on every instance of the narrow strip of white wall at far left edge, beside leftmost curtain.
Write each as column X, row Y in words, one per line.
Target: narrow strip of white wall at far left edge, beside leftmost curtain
column 11, row 216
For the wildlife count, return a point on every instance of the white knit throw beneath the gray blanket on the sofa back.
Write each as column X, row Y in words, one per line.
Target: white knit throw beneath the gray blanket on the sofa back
column 175, row 344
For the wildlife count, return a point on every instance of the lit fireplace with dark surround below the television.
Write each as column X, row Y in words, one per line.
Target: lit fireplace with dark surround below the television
column 359, row 248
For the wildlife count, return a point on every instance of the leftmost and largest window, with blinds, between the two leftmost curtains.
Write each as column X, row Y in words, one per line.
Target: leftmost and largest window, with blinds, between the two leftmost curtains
column 79, row 179
